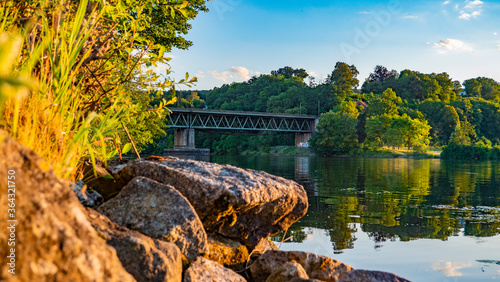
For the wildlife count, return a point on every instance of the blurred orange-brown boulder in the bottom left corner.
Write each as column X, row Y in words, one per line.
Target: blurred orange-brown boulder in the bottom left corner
column 54, row 241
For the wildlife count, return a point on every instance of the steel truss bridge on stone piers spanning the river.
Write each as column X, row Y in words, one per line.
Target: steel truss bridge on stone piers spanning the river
column 186, row 120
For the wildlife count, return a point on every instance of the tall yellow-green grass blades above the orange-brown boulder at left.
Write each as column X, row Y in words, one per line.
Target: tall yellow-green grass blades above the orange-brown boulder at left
column 51, row 118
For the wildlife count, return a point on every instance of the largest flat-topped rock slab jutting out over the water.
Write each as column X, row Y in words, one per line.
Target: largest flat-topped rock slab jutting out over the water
column 237, row 203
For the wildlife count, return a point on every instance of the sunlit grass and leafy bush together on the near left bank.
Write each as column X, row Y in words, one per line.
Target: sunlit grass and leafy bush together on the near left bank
column 86, row 60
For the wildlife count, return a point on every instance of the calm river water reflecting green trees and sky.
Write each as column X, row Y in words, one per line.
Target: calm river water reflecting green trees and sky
column 426, row 220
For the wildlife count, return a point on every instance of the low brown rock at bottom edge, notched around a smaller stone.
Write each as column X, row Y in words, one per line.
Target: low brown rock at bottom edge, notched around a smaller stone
column 317, row 267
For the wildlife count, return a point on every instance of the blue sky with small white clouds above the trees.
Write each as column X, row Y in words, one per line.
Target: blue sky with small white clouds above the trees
column 238, row 39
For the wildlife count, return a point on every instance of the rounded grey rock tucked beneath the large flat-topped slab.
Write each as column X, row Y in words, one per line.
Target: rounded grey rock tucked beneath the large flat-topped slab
column 158, row 211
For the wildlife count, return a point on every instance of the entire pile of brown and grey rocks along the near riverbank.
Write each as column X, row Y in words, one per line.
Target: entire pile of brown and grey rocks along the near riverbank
column 162, row 219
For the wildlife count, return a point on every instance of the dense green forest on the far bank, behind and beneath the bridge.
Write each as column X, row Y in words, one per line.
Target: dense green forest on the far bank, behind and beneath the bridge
column 391, row 109
